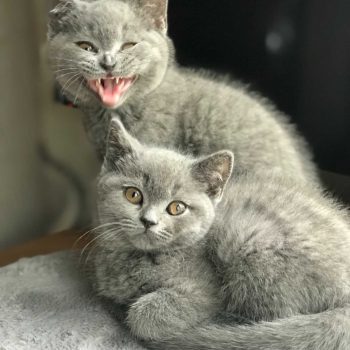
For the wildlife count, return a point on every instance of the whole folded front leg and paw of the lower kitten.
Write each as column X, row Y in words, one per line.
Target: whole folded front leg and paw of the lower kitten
column 169, row 311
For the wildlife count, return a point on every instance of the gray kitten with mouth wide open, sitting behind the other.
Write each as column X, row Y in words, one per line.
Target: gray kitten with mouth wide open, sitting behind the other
column 113, row 58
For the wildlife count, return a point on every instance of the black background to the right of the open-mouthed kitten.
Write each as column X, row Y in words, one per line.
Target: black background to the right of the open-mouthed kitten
column 296, row 52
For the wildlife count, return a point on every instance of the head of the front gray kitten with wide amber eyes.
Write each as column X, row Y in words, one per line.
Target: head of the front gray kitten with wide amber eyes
column 157, row 199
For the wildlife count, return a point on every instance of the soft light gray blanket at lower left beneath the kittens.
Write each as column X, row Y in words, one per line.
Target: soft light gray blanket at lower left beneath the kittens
column 46, row 304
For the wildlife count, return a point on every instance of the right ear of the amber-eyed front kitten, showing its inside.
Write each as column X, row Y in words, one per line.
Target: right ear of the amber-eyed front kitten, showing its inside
column 214, row 171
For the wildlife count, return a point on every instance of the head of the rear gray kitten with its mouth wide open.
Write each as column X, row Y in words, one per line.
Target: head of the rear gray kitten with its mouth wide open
column 108, row 51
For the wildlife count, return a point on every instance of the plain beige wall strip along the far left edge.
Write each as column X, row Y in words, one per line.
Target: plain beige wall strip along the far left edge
column 22, row 187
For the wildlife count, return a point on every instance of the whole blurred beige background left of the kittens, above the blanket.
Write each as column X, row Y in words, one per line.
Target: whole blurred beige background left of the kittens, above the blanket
column 46, row 162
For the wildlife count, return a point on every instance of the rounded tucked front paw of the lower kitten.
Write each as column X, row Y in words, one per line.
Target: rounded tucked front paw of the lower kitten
column 157, row 315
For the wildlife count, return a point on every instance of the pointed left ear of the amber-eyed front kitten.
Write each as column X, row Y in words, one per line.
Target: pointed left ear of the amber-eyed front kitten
column 121, row 148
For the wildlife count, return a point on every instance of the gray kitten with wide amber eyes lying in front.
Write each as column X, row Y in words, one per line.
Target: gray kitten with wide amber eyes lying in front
column 194, row 256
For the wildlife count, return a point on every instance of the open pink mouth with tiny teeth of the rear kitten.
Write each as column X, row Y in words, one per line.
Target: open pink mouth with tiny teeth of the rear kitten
column 111, row 89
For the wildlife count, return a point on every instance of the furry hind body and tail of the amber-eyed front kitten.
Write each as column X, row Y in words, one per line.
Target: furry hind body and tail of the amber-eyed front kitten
column 284, row 264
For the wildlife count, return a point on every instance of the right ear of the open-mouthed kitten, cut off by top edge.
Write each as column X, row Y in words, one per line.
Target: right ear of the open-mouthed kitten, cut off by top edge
column 157, row 10
